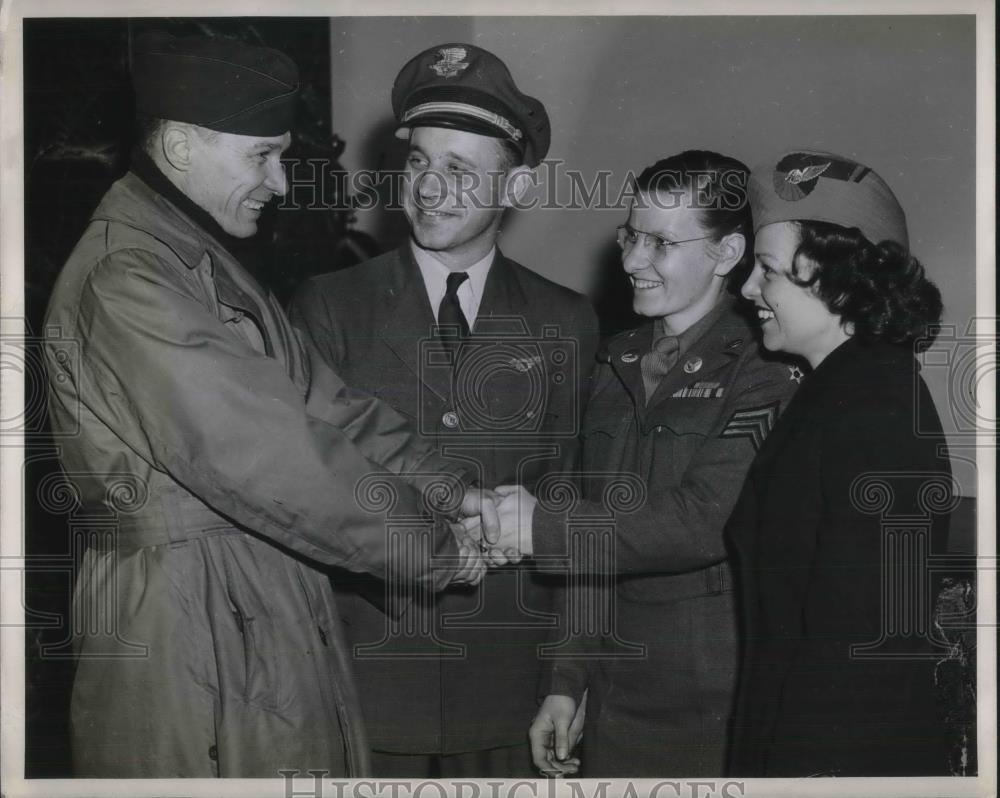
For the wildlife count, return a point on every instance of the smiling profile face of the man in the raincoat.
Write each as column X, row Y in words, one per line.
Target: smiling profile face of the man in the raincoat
column 233, row 177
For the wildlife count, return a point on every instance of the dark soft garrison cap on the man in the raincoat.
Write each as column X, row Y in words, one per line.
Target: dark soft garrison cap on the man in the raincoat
column 220, row 84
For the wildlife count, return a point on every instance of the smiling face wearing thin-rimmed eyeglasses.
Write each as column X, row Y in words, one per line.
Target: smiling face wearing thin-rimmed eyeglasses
column 677, row 282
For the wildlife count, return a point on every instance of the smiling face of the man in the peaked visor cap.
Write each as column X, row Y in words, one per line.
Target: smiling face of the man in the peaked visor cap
column 453, row 184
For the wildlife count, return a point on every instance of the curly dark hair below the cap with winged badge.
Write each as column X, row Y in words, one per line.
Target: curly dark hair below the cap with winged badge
column 879, row 288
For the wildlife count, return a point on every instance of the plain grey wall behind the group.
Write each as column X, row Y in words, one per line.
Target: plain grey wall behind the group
column 896, row 93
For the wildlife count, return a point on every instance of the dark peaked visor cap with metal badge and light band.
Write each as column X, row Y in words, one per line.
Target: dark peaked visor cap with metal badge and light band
column 464, row 87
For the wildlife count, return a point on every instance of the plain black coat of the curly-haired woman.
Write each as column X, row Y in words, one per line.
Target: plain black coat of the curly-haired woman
column 857, row 452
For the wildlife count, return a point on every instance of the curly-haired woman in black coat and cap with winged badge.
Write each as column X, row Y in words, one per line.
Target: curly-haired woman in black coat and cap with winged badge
column 847, row 496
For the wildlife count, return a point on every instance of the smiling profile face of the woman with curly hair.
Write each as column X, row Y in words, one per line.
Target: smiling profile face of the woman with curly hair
column 793, row 319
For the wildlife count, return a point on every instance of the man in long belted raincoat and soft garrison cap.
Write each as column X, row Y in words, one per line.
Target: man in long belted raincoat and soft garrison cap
column 228, row 469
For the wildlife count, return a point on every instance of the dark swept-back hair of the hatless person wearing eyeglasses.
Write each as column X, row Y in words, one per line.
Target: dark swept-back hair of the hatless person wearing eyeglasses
column 718, row 187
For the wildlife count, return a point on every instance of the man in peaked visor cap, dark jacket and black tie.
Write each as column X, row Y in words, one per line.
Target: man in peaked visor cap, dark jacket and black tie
column 489, row 359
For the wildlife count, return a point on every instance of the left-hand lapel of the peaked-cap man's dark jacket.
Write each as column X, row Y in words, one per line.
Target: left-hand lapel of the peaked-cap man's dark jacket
column 407, row 320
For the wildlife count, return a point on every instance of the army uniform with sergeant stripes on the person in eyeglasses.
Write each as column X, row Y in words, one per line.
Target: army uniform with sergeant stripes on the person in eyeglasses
column 662, row 682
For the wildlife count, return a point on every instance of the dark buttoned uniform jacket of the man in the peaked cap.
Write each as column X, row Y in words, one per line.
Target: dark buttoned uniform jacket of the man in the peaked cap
column 463, row 677
